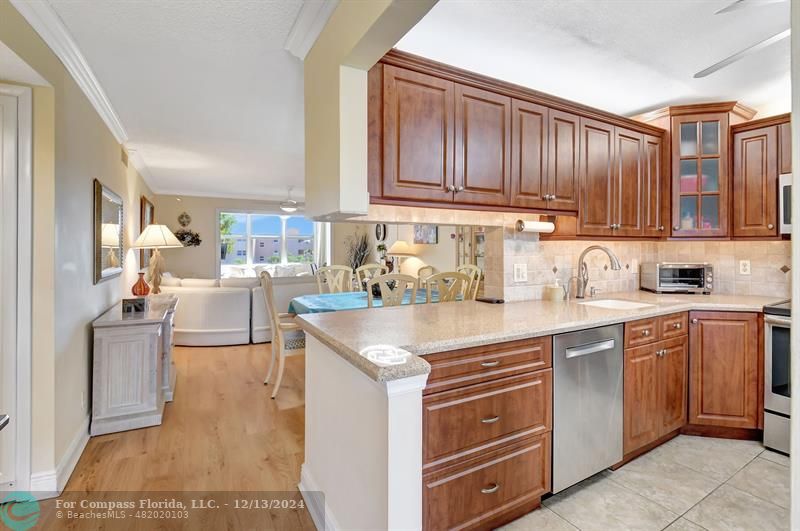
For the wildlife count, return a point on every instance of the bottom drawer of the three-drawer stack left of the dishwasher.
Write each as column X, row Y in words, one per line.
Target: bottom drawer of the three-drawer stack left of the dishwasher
column 474, row 494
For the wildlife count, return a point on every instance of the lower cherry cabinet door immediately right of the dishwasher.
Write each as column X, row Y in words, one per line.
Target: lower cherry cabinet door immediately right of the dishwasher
column 641, row 419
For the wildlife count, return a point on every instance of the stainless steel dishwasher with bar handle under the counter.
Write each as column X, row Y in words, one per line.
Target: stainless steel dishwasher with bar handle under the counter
column 587, row 403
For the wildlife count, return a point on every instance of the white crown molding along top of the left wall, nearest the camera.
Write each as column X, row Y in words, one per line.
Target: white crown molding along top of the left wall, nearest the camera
column 46, row 22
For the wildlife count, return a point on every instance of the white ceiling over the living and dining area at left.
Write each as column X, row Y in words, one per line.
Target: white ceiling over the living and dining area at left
column 210, row 100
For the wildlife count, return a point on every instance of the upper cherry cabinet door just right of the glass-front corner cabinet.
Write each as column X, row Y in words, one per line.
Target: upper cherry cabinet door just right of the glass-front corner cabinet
column 755, row 183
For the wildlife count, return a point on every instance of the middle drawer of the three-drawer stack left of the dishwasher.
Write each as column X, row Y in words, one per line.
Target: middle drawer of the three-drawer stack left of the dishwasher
column 458, row 422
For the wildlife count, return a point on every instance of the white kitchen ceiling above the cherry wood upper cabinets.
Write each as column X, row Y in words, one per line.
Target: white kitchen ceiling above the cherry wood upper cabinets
column 624, row 56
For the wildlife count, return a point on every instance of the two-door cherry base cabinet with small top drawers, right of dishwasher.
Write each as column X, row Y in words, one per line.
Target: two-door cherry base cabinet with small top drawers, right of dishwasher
column 655, row 380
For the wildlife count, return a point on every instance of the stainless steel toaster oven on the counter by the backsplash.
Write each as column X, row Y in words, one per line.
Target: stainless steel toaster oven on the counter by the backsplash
column 673, row 277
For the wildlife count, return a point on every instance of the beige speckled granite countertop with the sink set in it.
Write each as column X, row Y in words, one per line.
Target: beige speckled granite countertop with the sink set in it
column 427, row 328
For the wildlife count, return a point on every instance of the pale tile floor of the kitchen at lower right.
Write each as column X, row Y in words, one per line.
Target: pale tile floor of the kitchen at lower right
column 687, row 484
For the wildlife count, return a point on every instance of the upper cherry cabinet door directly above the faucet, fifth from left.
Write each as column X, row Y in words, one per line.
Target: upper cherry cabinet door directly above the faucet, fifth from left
column 597, row 172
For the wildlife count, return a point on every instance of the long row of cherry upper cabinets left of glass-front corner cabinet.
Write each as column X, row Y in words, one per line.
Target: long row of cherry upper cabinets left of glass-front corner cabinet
column 440, row 136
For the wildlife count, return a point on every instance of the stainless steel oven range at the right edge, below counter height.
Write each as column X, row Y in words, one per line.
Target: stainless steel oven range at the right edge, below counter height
column 777, row 368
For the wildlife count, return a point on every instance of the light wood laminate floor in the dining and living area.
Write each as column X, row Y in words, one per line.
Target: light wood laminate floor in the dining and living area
column 222, row 432
